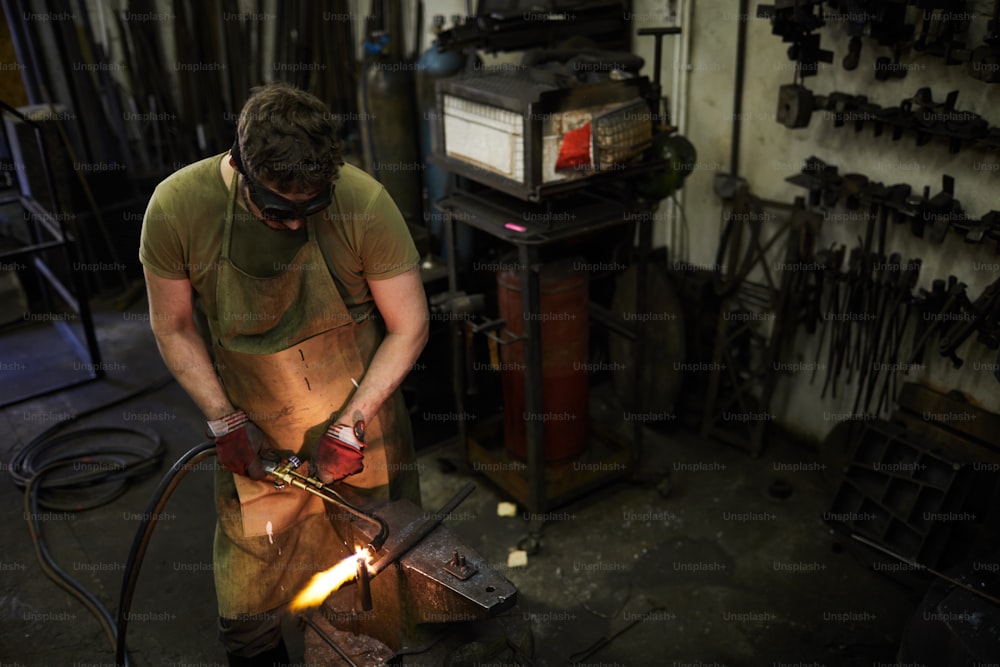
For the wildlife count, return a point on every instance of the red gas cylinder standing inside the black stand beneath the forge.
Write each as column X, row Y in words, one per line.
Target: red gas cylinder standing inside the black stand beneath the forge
column 563, row 321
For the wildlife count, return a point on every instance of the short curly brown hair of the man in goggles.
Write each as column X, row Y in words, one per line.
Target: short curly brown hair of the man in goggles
column 288, row 138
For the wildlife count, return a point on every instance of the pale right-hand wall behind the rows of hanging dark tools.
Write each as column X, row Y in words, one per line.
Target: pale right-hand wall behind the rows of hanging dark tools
column 770, row 152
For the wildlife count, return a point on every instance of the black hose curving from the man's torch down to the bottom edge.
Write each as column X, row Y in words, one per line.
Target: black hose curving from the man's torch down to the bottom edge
column 145, row 532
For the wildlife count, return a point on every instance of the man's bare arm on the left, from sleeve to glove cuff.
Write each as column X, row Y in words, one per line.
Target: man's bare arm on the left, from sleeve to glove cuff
column 171, row 316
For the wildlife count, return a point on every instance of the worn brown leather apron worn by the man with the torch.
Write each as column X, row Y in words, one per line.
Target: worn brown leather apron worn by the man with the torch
column 287, row 350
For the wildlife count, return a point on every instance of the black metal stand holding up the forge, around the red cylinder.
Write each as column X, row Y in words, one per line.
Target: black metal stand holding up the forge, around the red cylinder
column 534, row 485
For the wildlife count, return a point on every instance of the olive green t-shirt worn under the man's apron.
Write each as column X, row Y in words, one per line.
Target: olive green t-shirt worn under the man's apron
column 362, row 235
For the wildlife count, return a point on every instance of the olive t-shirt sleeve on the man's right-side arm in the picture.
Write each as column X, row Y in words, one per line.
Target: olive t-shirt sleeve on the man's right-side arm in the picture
column 387, row 249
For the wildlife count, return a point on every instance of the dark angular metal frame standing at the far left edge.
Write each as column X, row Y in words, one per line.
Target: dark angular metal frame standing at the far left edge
column 48, row 236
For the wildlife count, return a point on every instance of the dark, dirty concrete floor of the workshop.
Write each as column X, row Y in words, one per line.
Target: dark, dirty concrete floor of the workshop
column 711, row 567
